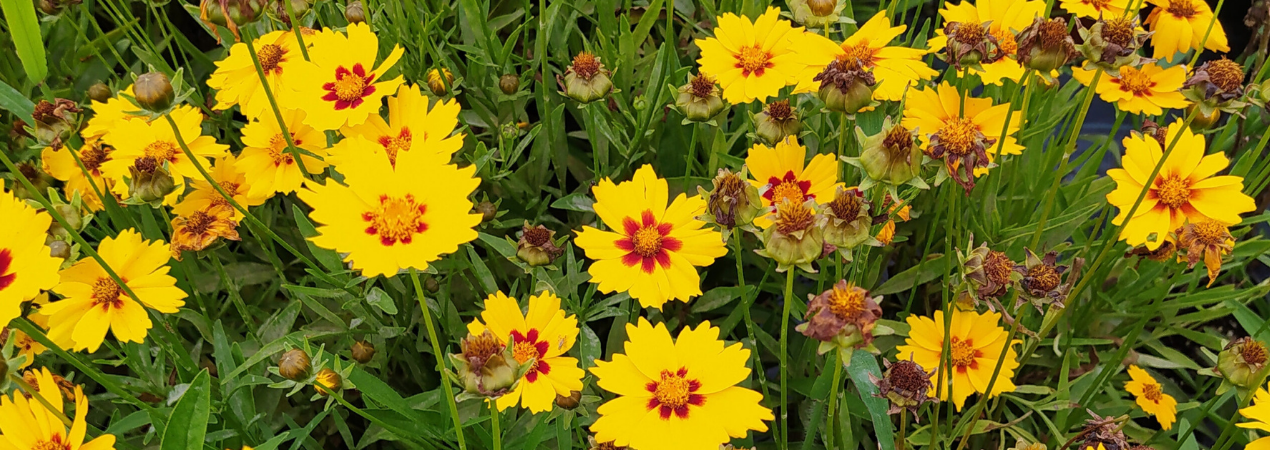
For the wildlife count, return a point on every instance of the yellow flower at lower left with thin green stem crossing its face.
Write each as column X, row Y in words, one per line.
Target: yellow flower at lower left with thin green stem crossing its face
column 93, row 303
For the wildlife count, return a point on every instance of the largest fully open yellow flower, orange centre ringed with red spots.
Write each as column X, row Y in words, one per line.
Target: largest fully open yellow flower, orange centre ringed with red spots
column 389, row 219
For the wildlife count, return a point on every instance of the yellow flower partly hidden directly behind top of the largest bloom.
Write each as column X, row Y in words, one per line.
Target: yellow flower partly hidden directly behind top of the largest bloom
column 411, row 128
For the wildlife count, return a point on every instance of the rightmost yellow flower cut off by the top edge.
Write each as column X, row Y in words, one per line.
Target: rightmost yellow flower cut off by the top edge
column 1180, row 27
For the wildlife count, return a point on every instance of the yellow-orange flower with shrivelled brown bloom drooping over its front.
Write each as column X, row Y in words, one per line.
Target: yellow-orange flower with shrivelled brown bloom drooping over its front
column 961, row 140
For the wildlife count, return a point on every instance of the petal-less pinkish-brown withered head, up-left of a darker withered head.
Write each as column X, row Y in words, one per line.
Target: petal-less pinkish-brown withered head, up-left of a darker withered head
column 843, row 318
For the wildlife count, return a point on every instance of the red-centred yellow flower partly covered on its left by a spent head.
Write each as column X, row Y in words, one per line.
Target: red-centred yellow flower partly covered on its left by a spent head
column 544, row 335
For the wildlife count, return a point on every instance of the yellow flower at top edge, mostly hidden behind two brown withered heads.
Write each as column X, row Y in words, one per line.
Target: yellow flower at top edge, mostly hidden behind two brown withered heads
column 1004, row 18
